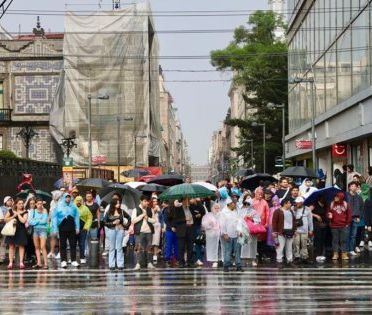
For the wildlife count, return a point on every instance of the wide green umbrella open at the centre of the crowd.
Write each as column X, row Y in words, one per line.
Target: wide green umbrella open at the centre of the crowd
column 186, row 191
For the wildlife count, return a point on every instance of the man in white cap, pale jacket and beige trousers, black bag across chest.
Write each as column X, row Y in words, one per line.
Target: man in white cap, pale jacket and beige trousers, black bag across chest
column 304, row 225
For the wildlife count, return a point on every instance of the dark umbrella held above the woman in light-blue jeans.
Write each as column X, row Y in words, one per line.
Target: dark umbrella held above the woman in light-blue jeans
column 130, row 196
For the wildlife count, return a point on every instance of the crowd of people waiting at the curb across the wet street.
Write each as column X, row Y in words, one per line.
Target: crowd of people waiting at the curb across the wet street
column 235, row 229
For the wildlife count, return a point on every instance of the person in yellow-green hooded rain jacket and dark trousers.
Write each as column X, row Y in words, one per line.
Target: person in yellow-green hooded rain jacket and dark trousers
column 86, row 219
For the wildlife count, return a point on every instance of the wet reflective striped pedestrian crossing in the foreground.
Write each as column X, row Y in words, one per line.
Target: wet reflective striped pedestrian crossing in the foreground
column 256, row 291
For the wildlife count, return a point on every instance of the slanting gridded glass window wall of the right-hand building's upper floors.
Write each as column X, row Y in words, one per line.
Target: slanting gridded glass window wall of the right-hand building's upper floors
column 331, row 45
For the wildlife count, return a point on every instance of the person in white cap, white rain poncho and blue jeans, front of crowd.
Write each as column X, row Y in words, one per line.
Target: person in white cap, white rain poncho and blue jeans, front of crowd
column 229, row 221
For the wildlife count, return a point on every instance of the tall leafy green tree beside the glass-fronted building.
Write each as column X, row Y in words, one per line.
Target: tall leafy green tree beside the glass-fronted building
column 259, row 62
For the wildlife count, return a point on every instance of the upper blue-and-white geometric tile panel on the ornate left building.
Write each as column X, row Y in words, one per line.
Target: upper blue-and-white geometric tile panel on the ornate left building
column 34, row 93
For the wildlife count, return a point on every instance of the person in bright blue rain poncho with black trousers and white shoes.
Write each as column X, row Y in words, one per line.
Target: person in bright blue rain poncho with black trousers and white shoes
column 66, row 221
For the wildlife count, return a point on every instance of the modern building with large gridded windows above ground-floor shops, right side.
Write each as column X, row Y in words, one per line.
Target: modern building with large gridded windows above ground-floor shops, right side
column 330, row 59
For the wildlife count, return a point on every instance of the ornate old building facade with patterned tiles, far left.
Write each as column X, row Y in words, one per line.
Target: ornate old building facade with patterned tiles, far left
column 30, row 66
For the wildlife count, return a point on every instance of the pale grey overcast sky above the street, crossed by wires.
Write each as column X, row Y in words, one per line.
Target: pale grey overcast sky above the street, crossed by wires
column 201, row 106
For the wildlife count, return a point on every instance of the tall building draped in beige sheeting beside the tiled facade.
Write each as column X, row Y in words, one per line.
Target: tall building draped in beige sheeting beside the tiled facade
column 112, row 58
